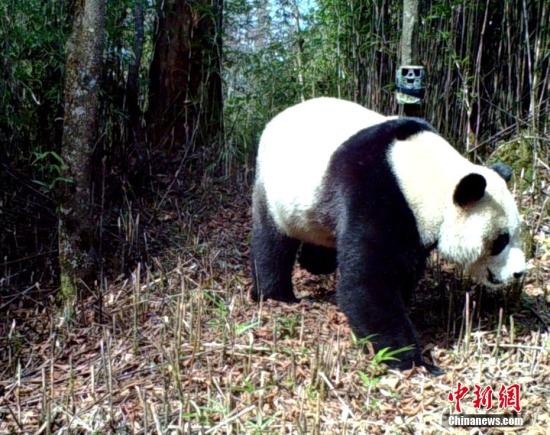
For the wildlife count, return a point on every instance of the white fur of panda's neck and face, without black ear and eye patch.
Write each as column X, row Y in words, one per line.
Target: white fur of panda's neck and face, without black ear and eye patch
column 428, row 170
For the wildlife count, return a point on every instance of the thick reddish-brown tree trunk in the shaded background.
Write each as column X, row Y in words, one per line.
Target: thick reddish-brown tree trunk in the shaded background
column 185, row 99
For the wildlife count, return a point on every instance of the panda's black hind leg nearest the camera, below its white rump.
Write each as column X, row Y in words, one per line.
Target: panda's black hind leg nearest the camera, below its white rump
column 272, row 255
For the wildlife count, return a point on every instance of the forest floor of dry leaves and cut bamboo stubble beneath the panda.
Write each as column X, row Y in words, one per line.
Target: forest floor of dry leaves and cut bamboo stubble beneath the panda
column 181, row 348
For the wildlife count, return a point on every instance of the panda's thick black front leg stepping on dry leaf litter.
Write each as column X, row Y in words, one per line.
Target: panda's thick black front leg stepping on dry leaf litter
column 370, row 292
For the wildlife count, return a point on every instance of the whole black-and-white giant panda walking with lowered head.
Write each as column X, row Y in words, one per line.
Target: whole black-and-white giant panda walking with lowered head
column 348, row 187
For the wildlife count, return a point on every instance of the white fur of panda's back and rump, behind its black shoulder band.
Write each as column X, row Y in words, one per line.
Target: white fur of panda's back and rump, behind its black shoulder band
column 293, row 155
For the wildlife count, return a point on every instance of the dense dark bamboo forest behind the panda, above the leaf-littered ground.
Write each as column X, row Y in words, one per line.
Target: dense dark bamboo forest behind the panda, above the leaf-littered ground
column 488, row 89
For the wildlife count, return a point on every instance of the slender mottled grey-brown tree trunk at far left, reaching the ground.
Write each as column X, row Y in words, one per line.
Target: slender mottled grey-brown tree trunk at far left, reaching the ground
column 77, row 229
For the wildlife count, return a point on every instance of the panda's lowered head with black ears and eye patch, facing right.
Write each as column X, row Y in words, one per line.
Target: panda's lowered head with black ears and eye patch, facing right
column 481, row 227
